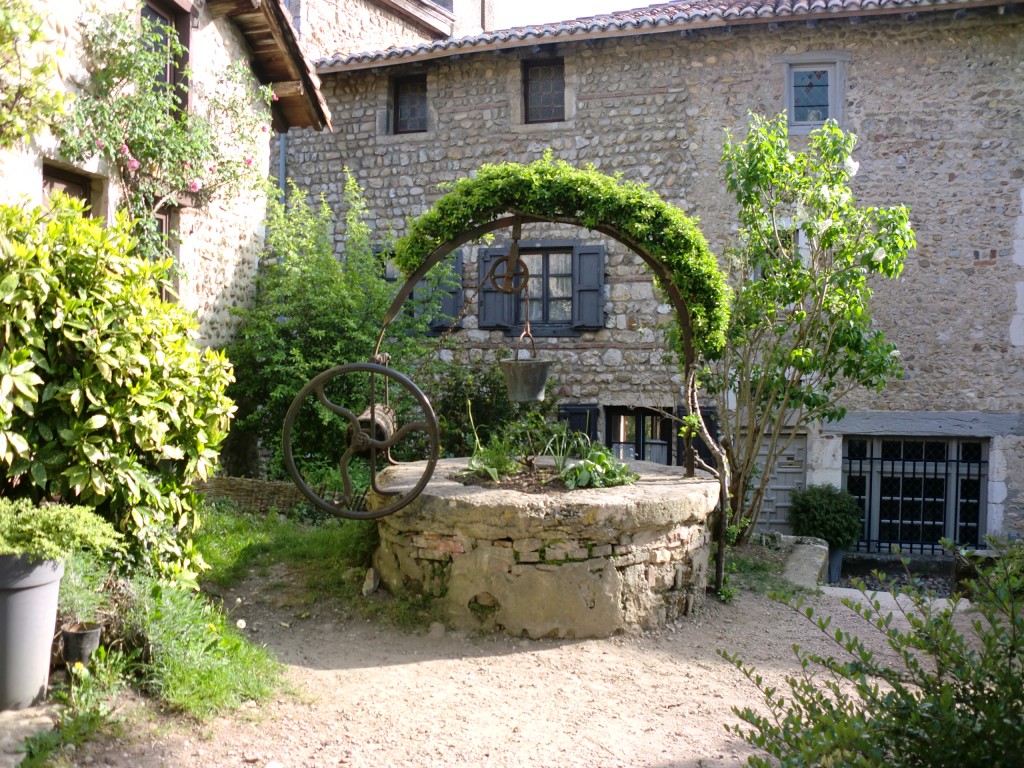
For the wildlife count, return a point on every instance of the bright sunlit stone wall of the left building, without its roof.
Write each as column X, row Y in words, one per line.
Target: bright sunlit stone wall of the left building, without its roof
column 220, row 245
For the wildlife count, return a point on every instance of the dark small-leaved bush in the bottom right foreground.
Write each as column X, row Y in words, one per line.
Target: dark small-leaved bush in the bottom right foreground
column 952, row 698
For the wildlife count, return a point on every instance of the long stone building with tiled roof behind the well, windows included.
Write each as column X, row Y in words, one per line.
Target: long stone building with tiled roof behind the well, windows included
column 934, row 92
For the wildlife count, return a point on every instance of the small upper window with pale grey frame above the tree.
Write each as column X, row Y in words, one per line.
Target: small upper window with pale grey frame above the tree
column 816, row 86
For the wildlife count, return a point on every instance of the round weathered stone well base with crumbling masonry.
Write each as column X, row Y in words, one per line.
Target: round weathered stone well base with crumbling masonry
column 582, row 564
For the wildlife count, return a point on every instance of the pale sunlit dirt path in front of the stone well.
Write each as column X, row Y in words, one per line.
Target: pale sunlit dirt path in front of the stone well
column 366, row 697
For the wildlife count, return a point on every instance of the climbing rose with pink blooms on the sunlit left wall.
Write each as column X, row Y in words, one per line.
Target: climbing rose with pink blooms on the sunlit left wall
column 161, row 154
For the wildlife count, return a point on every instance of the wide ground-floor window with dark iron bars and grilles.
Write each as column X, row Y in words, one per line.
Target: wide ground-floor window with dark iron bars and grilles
column 916, row 491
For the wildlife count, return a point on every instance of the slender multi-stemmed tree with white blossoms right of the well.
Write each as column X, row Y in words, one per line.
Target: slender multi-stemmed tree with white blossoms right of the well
column 801, row 336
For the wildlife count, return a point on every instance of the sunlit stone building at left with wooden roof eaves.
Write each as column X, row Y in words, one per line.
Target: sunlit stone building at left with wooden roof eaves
column 219, row 245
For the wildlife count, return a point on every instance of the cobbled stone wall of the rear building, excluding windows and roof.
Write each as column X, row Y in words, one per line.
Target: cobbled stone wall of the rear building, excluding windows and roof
column 936, row 102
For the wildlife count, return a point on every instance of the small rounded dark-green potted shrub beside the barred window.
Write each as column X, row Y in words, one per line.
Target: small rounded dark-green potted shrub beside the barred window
column 830, row 514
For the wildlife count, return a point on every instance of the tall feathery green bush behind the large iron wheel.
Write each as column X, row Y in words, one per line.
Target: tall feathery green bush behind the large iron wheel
column 314, row 312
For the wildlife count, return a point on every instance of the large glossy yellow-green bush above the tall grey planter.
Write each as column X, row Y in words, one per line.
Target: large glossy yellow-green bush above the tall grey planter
column 106, row 401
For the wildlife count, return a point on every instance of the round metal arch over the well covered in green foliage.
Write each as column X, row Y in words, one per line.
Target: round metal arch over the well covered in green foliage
column 553, row 191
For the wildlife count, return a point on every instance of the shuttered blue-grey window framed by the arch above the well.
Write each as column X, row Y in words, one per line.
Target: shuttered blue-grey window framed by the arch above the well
column 566, row 289
